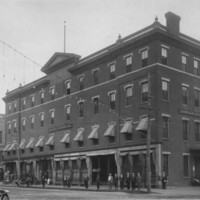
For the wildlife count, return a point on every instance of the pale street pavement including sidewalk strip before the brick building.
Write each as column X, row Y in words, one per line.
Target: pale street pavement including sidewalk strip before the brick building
column 23, row 193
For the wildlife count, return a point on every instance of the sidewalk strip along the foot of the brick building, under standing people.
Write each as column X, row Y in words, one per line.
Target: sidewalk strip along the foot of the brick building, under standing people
column 156, row 193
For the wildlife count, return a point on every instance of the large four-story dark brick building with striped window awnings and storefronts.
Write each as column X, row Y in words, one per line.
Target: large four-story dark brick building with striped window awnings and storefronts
column 81, row 117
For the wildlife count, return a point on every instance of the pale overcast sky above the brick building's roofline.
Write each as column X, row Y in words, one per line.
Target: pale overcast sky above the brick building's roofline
column 31, row 31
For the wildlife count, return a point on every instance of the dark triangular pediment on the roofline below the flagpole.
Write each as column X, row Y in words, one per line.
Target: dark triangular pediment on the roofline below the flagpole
column 57, row 60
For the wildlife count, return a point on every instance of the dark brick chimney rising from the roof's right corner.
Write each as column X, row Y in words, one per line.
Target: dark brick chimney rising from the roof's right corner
column 173, row 23
